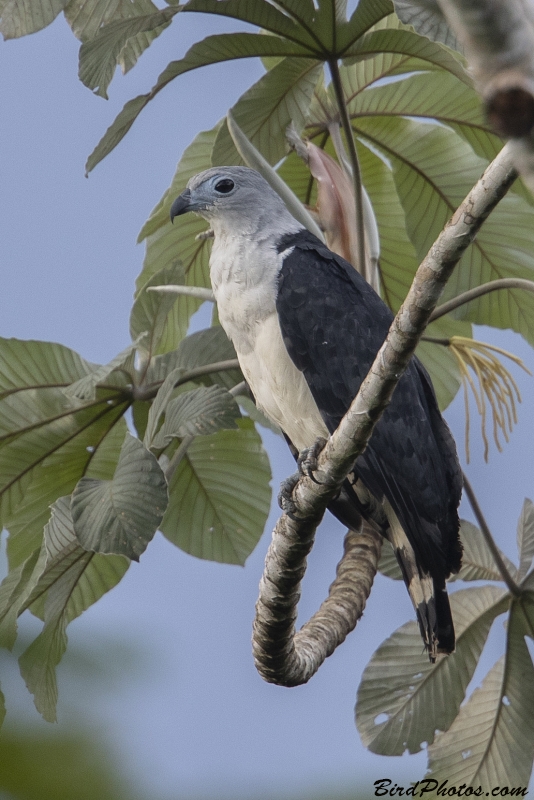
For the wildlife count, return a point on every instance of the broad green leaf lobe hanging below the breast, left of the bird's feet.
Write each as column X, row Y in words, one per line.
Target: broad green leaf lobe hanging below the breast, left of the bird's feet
column 219, row 496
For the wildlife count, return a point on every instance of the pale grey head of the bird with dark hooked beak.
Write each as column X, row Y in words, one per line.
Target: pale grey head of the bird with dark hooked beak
column 236, row 200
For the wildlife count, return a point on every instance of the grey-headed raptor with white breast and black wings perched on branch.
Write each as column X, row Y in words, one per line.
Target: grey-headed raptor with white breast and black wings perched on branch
column 306, row 328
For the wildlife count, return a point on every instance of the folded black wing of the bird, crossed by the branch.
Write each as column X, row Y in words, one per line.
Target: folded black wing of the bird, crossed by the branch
column 333, row 324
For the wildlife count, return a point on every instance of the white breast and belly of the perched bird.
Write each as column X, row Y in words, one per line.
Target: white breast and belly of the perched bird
column 244, row 278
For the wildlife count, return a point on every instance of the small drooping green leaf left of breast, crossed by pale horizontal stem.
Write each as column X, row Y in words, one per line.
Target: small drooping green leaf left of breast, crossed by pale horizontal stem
column 151, row 310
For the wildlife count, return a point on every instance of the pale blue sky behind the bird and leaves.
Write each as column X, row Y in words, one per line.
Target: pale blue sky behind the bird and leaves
column 188, row 713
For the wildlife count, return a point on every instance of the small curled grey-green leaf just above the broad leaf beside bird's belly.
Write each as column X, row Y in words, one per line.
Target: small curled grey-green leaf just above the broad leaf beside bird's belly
column 200, row 412
